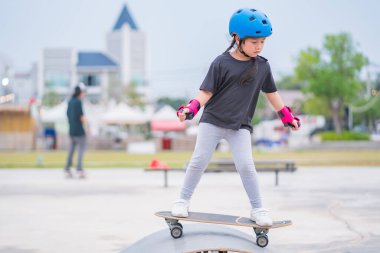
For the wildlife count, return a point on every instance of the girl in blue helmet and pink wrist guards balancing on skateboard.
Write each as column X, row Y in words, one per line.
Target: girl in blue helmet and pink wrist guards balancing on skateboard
column 229, row 92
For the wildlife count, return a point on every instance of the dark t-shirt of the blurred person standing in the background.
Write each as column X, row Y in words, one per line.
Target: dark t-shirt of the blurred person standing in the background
column 74, row 113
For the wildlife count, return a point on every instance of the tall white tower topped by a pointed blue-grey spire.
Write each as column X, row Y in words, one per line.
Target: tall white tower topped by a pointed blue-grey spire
column 126, row 44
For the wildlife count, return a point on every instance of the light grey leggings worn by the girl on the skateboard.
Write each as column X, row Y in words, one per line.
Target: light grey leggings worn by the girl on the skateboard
column 240, row 141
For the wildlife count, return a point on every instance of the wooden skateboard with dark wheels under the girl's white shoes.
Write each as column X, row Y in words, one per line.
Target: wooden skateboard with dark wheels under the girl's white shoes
column 176, row 228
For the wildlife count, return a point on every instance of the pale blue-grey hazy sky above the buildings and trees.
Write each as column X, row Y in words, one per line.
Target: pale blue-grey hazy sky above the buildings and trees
column 183, row 36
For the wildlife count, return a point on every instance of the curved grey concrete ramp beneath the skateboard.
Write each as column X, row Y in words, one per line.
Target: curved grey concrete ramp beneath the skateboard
column 199, row 238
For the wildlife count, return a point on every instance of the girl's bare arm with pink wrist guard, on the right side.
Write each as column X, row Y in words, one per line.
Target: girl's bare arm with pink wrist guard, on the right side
column 284, row 112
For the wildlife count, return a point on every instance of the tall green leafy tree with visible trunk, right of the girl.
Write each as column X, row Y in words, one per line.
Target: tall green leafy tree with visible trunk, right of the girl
column 332, row 74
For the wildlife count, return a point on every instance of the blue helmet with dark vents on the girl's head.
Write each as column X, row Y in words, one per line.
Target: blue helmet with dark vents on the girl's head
column 250, row 23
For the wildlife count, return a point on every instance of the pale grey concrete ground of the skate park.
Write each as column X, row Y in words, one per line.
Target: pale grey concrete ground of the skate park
column 332, row 209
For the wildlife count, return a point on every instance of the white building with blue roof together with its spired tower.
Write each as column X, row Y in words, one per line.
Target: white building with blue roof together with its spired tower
column 104, row 73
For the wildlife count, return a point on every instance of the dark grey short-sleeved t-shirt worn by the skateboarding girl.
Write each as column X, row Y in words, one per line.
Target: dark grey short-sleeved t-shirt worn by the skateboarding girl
column 232, row 105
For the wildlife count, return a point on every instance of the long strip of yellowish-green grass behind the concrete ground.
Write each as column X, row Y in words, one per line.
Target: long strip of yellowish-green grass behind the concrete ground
column 121, row 159
